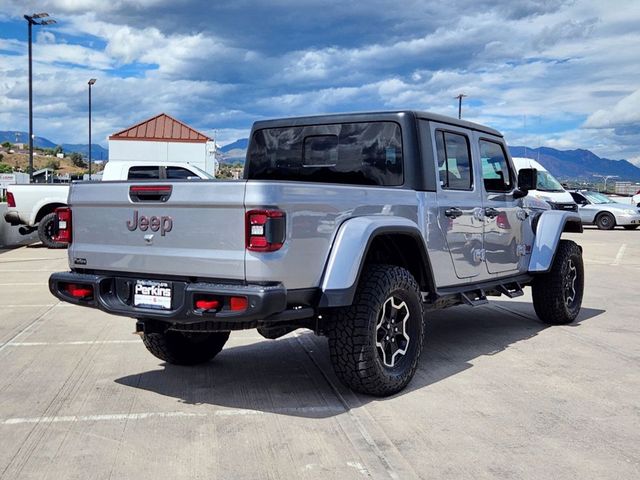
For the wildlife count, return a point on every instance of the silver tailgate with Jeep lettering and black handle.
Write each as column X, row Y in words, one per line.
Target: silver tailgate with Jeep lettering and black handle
column 199, row 231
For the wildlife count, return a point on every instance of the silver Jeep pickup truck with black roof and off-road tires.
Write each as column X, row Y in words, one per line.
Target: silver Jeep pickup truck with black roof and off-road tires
column 352, row 225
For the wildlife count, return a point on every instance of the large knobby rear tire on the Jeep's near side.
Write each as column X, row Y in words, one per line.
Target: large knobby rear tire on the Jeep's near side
column 353, row 332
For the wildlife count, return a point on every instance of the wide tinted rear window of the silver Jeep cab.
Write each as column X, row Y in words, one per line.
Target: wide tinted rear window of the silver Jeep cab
column 353, row 153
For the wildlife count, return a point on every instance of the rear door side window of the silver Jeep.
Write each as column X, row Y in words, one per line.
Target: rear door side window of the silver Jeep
column 454, row 161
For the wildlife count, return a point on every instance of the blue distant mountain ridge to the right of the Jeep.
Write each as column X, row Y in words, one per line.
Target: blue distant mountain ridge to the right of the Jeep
column 578, row 164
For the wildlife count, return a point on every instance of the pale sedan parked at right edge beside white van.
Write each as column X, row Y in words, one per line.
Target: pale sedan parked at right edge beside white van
column 597, row 209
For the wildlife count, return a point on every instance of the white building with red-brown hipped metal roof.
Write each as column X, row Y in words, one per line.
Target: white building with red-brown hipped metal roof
column 164, row 139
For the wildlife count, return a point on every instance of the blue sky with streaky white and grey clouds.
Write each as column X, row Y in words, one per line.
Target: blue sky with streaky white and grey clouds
column 559, row 73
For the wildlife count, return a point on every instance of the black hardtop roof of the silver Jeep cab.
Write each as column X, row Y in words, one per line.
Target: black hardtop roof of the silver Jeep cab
column 370, row 116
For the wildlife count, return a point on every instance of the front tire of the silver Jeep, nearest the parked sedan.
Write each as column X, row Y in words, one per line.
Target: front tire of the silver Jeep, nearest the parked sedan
column 557, row 296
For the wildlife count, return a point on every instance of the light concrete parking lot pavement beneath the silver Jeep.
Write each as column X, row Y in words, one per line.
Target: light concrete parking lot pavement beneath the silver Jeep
column 497, row 394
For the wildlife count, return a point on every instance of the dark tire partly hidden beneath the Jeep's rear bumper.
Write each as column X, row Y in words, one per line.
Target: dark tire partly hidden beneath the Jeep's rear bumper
column 180, row 348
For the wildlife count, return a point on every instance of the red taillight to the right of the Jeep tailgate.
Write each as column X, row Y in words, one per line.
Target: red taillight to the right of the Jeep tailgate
column 265, row 230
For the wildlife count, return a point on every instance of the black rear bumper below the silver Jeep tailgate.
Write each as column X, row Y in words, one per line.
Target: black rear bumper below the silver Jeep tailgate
column 114, row 294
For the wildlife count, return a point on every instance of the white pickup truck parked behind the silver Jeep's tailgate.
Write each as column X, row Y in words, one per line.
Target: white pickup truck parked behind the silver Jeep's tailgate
column 33, row 206
